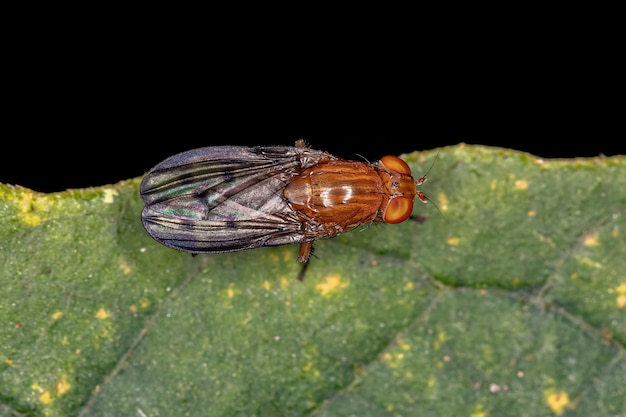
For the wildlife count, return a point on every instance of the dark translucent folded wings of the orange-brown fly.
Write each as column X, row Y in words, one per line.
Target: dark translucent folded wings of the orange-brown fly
column 225, row 198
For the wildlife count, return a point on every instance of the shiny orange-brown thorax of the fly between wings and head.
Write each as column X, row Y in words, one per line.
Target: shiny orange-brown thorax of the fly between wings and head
column 343, row 194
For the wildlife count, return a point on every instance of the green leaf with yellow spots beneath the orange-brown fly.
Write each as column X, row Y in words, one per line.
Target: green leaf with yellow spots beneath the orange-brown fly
column 509, row 299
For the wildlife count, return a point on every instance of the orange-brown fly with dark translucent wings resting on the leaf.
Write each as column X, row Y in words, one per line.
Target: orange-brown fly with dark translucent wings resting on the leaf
column 229, row 198
